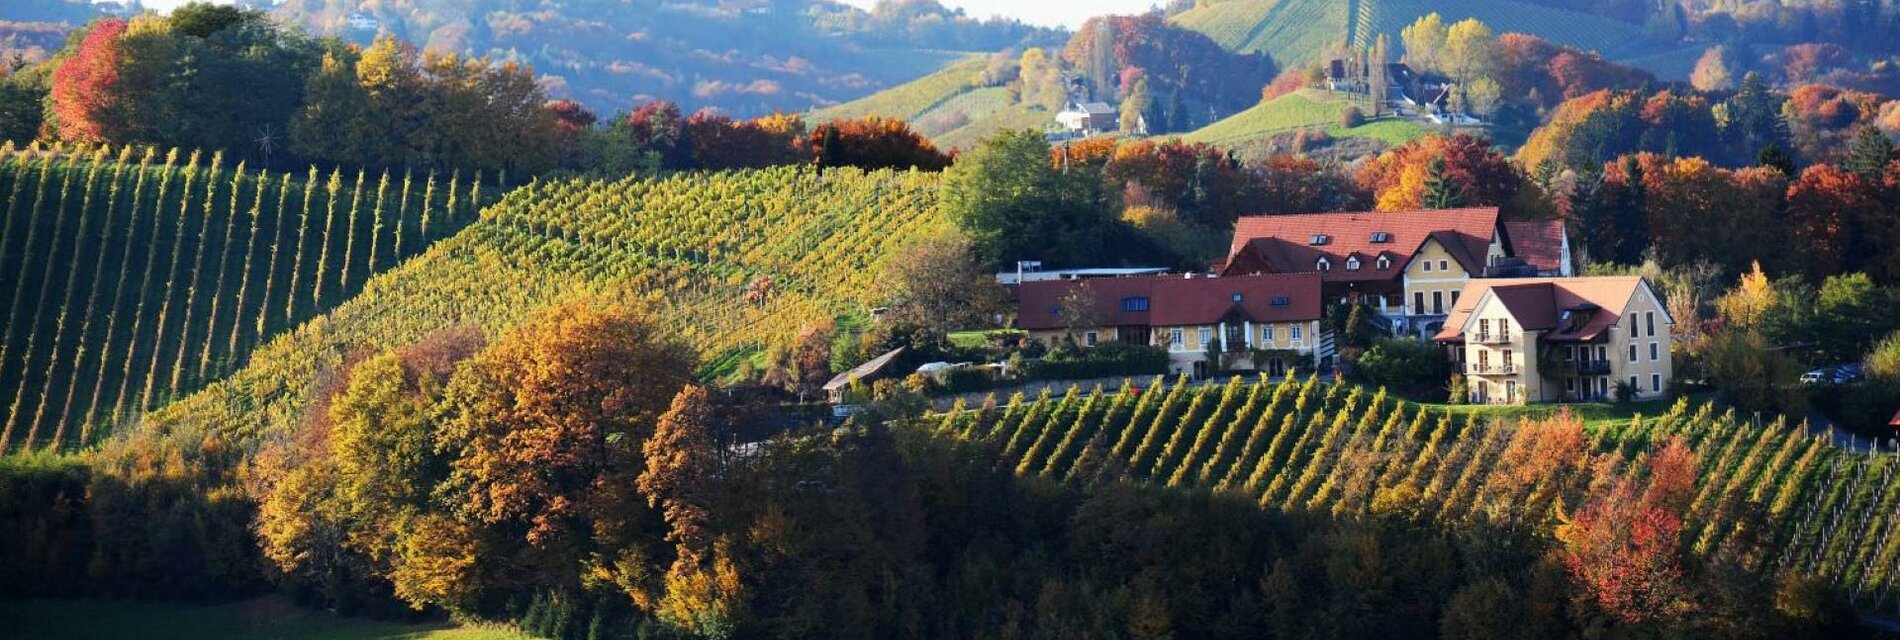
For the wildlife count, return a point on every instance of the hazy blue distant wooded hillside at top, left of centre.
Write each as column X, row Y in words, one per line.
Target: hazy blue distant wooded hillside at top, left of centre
column 742, row 56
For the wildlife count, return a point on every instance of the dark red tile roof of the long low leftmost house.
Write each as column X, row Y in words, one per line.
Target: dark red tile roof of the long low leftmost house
column 1177, row 301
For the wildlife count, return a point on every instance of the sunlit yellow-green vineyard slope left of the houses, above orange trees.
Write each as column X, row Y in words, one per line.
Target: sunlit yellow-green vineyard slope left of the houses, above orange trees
column 727, row 261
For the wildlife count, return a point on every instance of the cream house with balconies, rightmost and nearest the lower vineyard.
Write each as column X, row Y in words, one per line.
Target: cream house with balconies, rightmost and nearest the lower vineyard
column 1561, row 339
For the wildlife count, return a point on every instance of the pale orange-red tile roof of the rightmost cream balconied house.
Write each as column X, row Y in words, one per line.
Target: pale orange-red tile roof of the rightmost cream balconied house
column 1542, row 305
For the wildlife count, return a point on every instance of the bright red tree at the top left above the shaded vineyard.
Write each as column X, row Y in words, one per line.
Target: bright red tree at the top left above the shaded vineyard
column 85, row 86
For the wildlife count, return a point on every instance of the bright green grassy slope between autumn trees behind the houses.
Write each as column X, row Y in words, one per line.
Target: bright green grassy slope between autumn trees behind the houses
column 1299, row 111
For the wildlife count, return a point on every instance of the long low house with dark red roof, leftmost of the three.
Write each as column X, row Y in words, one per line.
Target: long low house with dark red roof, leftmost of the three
column 1268, row 324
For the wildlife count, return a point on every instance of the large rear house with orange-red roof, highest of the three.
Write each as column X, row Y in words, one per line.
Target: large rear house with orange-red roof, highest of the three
column 1411, row 265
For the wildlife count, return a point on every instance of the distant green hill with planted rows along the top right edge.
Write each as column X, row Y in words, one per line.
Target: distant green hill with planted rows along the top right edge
column 1302, row 31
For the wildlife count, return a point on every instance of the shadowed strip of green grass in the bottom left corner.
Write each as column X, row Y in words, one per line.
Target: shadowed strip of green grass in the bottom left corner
column 254, row 620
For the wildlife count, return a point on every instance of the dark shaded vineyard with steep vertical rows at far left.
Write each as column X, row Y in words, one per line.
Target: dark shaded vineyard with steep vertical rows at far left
column 136, row 276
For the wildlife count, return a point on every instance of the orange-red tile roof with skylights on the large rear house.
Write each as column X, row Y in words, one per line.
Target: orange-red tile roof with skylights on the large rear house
column 1282, row 244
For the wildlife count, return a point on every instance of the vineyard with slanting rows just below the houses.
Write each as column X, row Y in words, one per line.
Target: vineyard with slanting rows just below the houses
column 1344, row 451
